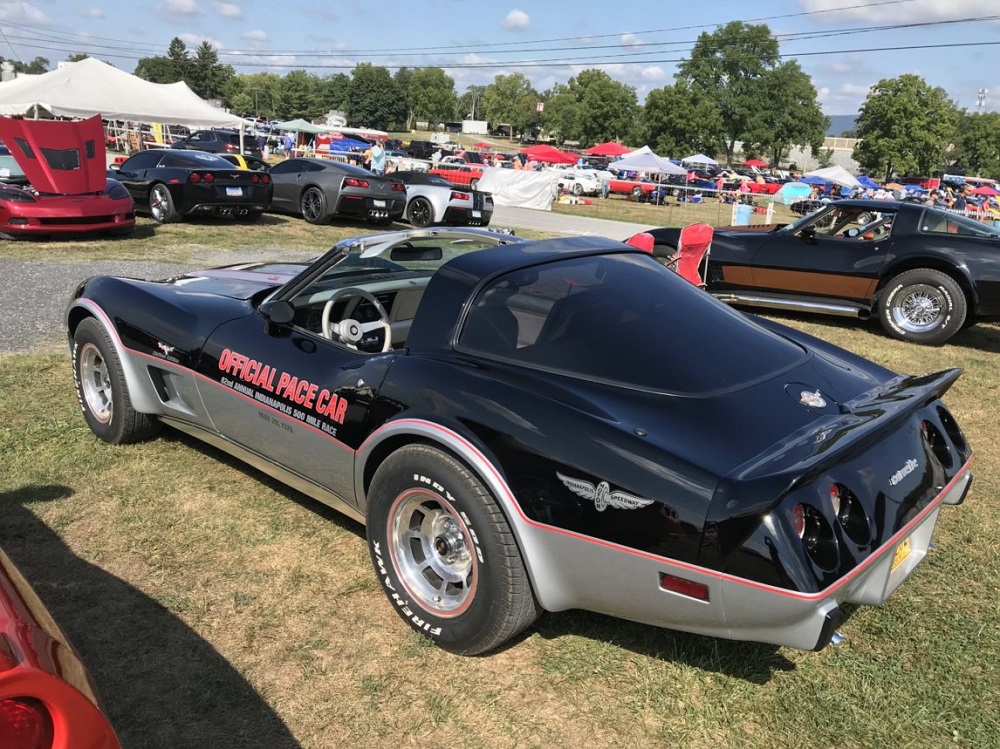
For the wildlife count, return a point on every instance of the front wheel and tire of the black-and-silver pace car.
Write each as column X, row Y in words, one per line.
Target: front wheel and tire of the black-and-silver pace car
column 102, row 391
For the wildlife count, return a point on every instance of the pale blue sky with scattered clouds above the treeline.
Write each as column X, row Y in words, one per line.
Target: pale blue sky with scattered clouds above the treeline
column 636, row 42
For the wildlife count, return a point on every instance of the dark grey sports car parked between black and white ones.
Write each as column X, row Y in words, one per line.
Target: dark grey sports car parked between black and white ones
column 320, row 190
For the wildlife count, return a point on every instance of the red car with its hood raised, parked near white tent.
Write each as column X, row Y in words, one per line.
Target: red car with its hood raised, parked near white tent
column 68, row 191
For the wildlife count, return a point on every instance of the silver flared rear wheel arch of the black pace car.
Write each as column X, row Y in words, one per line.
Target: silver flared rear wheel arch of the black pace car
column 480, row 461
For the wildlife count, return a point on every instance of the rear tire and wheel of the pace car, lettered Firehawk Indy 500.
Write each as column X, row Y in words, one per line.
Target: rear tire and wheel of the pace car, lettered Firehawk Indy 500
column 444, row 553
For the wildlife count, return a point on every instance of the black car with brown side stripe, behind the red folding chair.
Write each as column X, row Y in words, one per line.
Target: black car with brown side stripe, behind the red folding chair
column 923, row 272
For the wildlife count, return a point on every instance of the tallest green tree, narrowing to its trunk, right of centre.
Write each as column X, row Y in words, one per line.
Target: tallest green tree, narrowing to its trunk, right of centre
column 727, row 65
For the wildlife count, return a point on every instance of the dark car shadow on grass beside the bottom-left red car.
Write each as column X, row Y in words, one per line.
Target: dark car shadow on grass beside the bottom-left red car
column 161, row 683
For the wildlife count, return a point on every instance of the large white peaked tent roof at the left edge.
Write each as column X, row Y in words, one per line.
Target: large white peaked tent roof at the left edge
column 89, row 87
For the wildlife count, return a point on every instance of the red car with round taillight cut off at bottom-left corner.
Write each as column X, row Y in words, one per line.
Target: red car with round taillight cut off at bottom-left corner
column 46, row 697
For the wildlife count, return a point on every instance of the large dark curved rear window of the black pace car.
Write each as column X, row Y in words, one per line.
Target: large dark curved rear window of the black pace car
column 622, row 318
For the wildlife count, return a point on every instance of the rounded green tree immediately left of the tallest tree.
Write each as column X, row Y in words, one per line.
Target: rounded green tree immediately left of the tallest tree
column 679, row 121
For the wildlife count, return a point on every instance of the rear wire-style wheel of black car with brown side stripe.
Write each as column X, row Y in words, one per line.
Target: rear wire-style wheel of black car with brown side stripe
column 923, row 306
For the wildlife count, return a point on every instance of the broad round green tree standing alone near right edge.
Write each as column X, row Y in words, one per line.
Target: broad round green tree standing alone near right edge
column 905, row 125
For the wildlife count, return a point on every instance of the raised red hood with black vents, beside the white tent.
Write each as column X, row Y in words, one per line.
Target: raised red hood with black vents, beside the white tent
column 58, row 157
